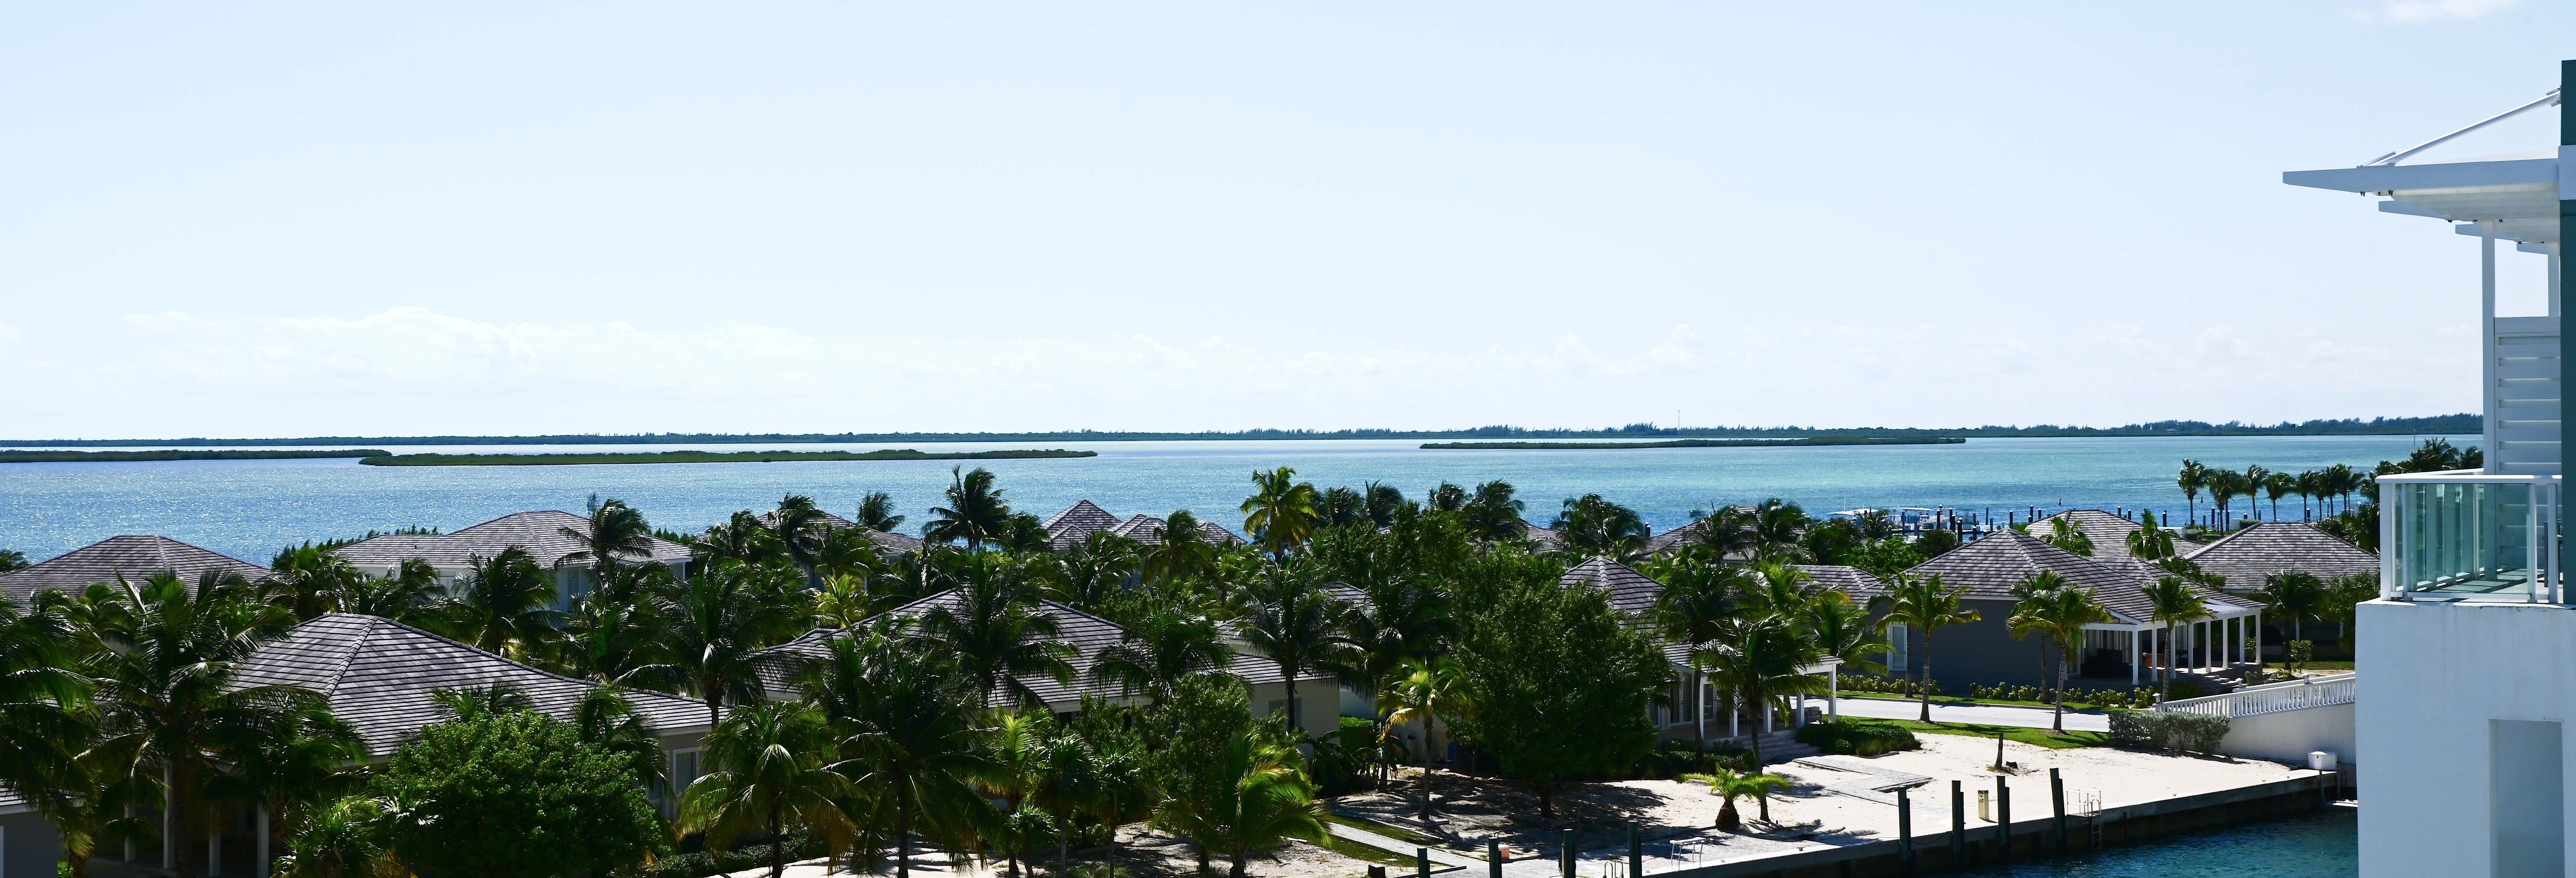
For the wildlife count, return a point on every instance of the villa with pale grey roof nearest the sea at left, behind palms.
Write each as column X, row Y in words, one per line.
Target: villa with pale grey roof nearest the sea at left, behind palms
column 553, row 537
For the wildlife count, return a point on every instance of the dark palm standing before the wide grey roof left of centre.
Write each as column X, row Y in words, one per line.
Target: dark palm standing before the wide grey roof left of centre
column 998, row 632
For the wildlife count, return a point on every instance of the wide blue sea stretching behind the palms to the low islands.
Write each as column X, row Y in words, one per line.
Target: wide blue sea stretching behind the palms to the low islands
column 251, row 509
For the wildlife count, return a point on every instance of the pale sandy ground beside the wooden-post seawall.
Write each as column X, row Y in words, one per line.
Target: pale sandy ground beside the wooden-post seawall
column 1477, row 810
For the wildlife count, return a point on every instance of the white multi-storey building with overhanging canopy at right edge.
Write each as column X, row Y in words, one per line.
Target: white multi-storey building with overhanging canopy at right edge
column 2469, row 658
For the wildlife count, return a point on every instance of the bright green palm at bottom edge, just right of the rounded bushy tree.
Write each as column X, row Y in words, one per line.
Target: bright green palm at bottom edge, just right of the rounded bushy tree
column 769, row 776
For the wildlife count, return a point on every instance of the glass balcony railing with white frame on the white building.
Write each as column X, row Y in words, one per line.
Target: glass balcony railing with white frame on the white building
column 2469, row 537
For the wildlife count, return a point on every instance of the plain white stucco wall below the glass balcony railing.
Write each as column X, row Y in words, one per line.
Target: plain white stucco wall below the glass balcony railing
column 2433, row 678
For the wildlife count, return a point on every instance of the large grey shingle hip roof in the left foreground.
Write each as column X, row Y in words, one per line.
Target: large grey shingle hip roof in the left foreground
column 380, row 678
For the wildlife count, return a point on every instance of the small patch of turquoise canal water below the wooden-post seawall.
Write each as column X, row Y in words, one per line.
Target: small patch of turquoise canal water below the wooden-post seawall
column 2320, row 846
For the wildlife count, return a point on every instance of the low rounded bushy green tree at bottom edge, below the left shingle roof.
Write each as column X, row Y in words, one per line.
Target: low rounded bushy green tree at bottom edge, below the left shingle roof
column 514, row 794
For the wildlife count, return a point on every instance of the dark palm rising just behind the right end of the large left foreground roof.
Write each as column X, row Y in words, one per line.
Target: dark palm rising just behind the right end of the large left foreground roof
column 717, row 622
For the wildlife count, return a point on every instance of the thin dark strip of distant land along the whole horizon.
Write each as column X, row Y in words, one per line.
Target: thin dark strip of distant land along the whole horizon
column 2325, row 426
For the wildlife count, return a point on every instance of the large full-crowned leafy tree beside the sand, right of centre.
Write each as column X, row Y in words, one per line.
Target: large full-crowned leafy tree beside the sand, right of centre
column 1560, row 684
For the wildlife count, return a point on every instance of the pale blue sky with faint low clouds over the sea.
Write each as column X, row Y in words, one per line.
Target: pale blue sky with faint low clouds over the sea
column 632, row 218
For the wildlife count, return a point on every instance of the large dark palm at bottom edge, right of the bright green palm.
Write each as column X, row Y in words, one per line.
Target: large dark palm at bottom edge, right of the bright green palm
column 908, row 730
